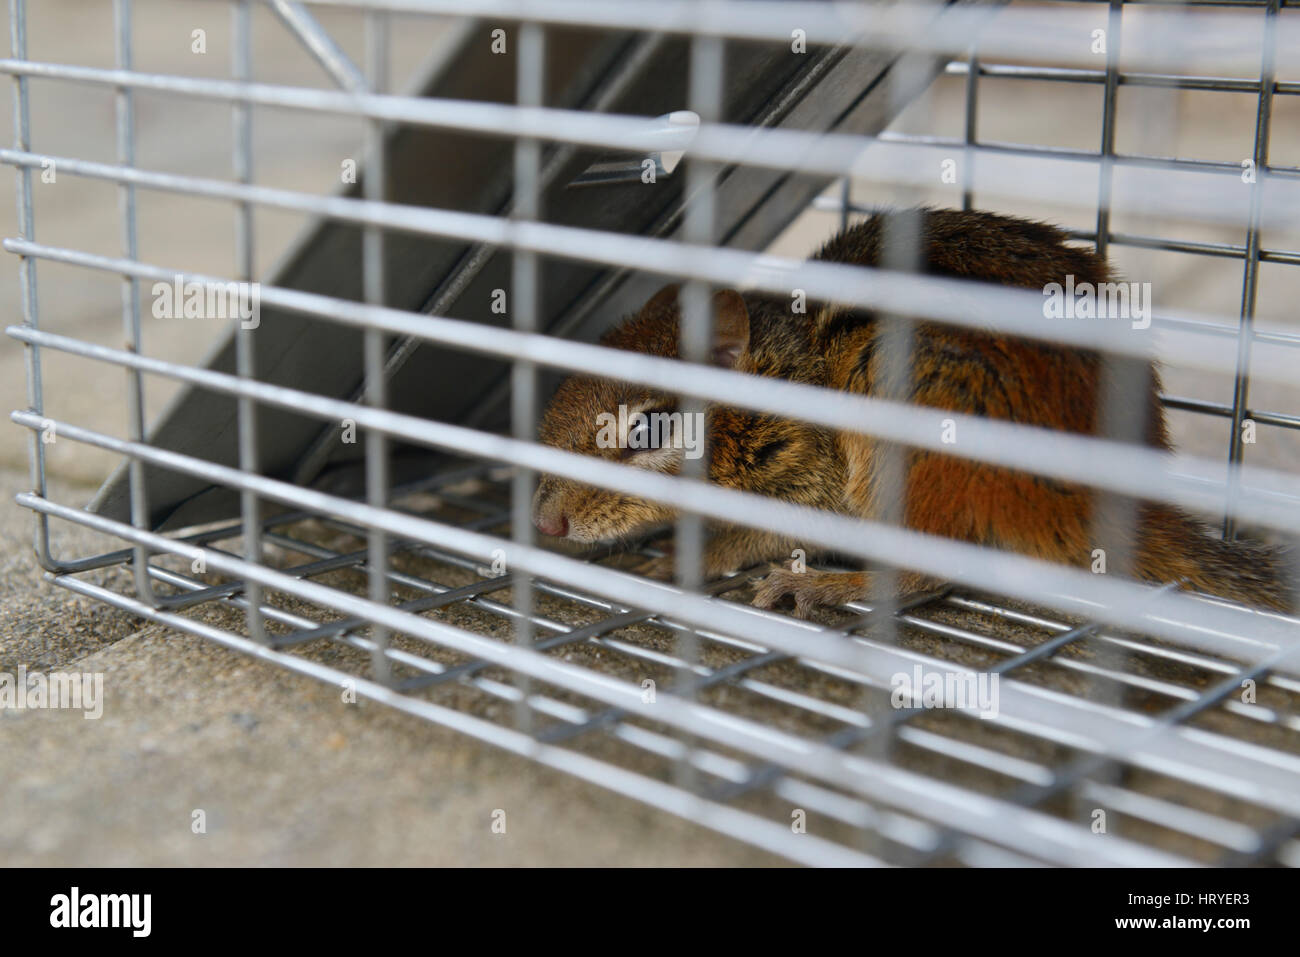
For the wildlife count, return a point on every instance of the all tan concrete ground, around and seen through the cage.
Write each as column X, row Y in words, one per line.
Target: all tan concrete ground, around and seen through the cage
column 285, row 772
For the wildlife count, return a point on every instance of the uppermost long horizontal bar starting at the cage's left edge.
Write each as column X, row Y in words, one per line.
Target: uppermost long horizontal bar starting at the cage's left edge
column 889, row 158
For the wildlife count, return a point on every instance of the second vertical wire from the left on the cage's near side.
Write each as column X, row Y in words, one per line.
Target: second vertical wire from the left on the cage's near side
column 132, row 297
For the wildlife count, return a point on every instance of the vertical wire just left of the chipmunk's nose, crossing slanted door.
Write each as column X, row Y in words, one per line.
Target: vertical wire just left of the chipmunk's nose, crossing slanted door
column 530, row 92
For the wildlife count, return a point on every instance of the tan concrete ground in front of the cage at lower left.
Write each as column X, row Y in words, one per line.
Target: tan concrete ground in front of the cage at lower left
column 285, row 772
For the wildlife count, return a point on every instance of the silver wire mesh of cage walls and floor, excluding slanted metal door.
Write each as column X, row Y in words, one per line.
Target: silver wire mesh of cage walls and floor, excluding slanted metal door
column 434, row 596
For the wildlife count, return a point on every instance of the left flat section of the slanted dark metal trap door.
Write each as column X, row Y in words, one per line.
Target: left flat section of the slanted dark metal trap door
column 431, row 168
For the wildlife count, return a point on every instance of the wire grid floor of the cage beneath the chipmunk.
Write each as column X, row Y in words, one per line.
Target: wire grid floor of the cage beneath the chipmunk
column 1111, row 748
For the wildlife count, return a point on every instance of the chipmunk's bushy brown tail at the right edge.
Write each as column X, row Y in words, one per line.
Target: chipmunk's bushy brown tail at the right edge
column 1173, row 547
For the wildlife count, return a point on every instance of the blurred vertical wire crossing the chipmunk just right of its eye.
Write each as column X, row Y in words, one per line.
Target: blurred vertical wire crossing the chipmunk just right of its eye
column 705, row 98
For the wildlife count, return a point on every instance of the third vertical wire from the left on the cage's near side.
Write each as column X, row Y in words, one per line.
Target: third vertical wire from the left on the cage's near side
column 245, row 354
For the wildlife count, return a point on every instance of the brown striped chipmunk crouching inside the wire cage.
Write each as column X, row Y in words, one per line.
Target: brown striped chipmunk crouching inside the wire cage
column 952, row 369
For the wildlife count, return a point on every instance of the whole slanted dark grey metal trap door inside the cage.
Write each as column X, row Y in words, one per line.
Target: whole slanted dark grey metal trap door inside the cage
column 632, row 75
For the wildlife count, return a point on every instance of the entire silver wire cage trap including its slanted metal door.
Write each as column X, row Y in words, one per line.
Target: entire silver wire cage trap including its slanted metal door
column 345, row 487
